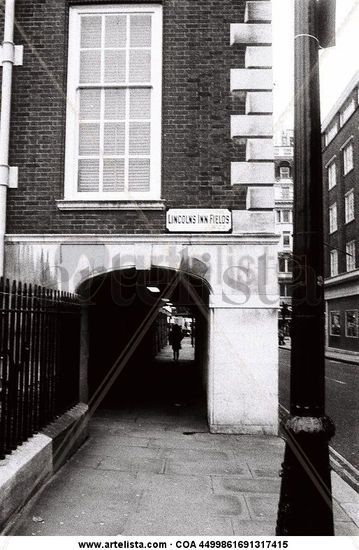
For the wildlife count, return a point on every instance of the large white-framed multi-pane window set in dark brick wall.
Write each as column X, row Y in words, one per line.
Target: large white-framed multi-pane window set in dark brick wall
column 113, row 126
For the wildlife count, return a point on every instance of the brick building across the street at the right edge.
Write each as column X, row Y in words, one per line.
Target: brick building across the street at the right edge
column 341, row 221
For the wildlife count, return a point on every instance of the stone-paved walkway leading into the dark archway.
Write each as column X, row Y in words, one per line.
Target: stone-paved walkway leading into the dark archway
column 157, row 471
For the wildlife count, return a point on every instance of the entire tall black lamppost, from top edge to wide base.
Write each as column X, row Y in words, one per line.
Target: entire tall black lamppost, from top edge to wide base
column 305, row 506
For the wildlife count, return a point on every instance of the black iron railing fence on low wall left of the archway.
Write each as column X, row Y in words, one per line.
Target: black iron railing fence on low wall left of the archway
column 39, row 359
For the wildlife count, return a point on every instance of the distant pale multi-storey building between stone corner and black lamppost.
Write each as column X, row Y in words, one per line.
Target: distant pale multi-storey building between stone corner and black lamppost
column 283, row 192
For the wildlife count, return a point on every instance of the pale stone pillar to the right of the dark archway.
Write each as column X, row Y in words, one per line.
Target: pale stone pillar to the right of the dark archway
column 243, row 370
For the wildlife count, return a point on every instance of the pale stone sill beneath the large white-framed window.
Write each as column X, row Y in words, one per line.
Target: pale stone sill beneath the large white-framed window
column 110, row 205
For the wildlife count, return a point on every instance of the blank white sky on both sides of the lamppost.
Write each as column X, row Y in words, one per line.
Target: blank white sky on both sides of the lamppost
column 337, row 64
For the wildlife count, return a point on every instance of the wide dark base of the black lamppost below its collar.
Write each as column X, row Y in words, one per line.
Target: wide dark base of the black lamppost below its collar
column 305, row 505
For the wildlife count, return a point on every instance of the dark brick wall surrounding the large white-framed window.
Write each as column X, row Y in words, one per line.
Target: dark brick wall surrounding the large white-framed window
column 197, row 104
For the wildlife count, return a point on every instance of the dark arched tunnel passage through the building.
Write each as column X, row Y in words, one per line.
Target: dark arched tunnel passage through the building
column 129, row 313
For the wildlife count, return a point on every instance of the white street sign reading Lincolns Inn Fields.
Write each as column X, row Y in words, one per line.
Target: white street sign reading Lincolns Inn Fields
column 198, row 220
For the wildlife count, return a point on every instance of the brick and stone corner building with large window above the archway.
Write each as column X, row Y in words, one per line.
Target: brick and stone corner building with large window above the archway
column 123, row 115
